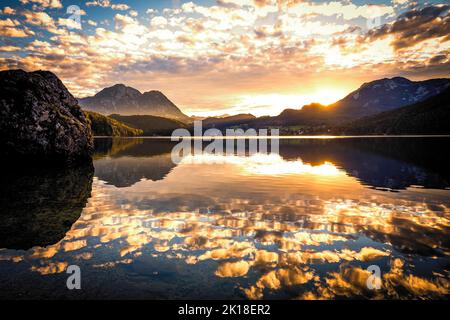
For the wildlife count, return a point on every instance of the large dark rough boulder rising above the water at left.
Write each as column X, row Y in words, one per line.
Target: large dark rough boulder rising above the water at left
column 40, row 118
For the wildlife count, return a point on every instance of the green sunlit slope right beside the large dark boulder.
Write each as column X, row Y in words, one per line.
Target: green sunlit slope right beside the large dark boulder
column 106, row 126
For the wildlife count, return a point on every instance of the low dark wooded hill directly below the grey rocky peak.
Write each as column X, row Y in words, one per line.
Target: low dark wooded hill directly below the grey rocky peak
column 150, row 125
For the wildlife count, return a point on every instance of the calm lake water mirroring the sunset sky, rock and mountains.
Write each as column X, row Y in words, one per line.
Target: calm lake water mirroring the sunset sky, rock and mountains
column 304, row 224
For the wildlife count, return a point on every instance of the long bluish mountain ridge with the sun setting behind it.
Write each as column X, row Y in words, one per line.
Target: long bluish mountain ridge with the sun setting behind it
column 370, row 99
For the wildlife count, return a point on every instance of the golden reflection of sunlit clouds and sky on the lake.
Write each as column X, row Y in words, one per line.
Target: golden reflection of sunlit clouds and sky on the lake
column 269, row 227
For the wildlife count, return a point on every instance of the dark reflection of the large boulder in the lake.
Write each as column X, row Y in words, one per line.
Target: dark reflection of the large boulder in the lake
column 38, row 206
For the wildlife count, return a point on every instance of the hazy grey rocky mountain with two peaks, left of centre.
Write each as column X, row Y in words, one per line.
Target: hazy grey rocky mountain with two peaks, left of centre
column 120, row 99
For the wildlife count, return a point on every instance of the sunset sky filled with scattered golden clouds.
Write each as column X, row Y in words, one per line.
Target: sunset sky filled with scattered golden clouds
column 214, row 57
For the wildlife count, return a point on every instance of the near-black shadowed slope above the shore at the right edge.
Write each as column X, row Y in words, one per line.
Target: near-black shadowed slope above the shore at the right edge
column 431, row 116
